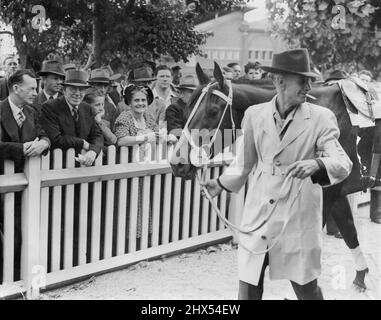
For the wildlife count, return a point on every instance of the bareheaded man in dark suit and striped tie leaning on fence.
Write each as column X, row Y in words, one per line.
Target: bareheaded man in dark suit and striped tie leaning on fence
column 21, row 136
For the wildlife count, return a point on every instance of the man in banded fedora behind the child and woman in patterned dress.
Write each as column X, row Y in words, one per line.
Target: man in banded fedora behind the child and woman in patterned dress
column 100, row 79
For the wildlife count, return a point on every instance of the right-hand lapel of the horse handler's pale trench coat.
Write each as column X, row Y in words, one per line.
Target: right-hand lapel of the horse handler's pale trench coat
column 296, row 127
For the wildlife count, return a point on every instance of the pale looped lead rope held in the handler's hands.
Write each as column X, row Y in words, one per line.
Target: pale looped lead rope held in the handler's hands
column 234, row 228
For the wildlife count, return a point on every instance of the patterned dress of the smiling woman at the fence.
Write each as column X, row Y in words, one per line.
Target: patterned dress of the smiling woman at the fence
column 126, row 125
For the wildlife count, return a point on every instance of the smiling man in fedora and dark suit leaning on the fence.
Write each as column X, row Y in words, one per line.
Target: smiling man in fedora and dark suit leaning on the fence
column 69, row 121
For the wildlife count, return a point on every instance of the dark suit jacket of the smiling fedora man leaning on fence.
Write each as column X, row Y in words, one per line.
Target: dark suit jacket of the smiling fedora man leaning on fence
column 57, row 120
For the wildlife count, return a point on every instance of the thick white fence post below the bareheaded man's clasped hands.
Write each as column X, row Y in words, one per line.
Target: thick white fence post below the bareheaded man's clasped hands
column 32, row 274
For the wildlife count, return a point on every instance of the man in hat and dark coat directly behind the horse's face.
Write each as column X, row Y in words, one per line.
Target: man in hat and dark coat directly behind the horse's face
column 176, row 114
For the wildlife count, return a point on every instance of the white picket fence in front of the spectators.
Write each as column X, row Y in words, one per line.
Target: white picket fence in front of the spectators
column 77, row 222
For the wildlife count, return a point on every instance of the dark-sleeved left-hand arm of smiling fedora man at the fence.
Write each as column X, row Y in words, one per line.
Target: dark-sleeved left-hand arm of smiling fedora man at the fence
column 50, row 123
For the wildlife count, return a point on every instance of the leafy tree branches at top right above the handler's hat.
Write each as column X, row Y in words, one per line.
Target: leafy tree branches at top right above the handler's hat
column 335, row 32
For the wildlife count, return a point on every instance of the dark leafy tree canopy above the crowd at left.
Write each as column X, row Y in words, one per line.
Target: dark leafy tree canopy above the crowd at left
column 128, row 29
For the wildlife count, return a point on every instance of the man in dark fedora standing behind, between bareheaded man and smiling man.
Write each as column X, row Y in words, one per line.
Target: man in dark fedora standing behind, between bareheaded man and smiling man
column 52, row 76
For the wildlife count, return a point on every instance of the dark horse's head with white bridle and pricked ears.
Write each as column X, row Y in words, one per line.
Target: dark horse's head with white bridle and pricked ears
column 209, row 115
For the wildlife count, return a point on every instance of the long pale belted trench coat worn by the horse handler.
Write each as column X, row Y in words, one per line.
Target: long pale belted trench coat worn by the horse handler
column 313, row 133
